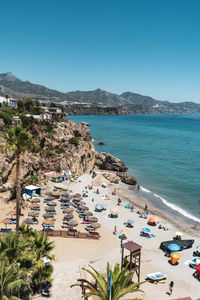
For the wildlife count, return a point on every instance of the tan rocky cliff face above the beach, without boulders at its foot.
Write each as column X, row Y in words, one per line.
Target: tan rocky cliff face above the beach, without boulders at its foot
column 67, row 146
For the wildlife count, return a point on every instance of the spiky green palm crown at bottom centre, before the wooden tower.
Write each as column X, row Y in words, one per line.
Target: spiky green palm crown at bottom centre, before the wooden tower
column 120, row 286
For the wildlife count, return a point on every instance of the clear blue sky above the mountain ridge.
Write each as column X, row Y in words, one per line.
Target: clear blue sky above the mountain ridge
column 150, row 47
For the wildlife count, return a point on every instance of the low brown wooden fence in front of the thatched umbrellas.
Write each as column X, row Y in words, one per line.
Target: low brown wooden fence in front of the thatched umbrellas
column 72, row 234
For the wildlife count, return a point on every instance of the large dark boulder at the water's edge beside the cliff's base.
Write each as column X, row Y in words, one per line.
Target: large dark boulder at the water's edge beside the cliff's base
column 106, row 161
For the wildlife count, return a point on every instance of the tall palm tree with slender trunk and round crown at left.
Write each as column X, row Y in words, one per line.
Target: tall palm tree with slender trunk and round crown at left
column 18, row 140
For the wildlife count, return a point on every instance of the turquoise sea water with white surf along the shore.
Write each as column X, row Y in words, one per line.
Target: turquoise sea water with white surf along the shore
column 161, row 151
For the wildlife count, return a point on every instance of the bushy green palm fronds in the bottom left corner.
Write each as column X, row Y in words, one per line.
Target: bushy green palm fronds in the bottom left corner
column 10, row 285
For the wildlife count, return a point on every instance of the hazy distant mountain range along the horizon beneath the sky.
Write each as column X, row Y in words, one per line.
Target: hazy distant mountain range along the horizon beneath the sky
column 133, row 103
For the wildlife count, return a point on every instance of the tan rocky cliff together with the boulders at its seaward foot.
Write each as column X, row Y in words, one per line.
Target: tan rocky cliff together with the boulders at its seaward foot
column 60, row 146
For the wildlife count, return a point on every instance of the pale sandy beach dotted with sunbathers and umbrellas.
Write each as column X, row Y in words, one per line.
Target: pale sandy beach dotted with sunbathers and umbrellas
column 74, row 254
